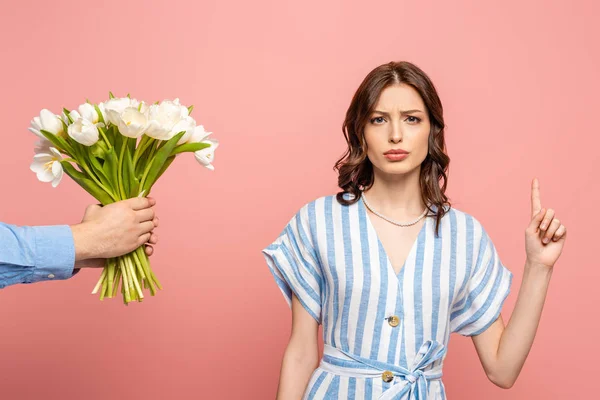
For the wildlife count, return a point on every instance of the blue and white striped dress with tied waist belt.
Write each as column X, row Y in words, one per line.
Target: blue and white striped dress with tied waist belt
column 330, row 256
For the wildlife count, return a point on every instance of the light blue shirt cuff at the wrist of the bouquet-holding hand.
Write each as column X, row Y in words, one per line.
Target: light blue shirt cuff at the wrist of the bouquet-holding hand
column 54, row 253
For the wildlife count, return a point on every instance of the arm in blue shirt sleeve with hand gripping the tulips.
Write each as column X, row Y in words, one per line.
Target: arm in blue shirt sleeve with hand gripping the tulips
column 31, row 254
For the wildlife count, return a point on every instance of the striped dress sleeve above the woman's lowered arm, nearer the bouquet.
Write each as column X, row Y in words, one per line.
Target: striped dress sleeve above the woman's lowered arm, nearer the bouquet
column 295, row 265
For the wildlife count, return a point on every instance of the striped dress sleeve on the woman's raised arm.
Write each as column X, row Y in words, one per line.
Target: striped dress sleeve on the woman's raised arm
column 485, row 292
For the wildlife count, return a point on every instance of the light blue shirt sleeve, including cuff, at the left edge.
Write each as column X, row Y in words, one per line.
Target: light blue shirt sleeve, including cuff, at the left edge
column 30, row 254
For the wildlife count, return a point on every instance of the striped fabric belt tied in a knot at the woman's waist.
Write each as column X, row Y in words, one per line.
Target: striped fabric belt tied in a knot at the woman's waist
column 408, row 384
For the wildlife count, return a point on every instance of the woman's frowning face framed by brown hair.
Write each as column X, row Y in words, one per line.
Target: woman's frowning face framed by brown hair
column 399, row 121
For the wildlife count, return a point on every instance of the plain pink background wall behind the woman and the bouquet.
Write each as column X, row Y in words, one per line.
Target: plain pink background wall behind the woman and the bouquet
column 272, row 79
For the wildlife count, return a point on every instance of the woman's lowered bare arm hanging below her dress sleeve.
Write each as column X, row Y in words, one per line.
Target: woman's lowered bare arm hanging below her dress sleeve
column 301, row 355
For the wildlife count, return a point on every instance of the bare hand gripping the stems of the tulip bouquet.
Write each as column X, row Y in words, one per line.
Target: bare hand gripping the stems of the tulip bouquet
column 114, row 230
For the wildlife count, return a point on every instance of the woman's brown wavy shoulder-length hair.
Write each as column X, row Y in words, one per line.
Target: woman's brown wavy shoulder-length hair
column 354, row 167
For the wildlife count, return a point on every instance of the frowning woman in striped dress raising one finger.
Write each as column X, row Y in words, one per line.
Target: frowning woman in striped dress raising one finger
column 390, row 269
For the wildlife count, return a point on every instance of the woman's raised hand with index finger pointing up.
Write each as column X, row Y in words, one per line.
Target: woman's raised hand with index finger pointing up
column 545, row 236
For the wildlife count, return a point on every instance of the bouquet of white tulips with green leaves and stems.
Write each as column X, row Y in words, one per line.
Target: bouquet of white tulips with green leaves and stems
column 117, row 150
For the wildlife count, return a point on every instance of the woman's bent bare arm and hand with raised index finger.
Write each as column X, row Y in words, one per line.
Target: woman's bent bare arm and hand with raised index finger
column 503, row 350
